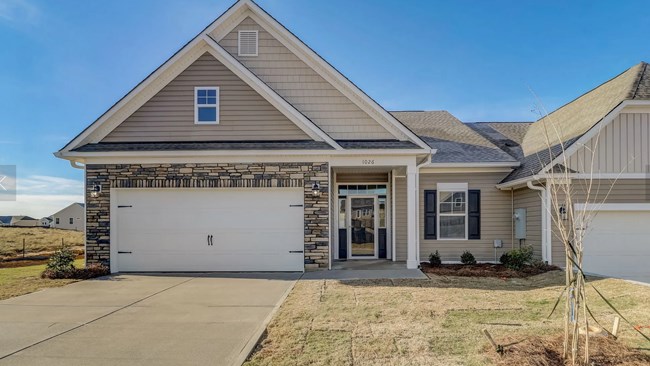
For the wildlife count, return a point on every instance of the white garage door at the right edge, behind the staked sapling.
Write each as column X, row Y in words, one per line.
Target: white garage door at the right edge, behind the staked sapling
column 617, row 244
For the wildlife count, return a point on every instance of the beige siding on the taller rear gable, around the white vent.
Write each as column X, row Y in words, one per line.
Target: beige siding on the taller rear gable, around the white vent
column 301, row 86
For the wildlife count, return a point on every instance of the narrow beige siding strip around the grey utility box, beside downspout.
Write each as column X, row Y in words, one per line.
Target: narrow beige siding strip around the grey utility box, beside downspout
column 531, row 200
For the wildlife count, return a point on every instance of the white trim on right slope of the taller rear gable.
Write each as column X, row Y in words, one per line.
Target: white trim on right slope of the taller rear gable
column 324, row 69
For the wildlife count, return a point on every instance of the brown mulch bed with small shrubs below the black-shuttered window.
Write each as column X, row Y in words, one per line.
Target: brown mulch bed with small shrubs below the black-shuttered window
column 485, row 270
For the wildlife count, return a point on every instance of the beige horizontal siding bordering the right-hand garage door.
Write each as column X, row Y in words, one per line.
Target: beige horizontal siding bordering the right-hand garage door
column 603, row 191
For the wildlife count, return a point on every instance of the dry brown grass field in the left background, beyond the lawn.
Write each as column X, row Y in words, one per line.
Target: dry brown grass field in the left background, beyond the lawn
column 38, row 241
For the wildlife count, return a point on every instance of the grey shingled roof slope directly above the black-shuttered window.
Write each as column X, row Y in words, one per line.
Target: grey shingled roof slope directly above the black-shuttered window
column 454, row 140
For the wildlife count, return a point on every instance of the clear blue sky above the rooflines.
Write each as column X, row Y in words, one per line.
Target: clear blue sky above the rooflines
column 64, row 62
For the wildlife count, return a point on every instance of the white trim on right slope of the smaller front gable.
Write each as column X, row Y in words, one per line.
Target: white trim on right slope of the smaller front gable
column 269, row 94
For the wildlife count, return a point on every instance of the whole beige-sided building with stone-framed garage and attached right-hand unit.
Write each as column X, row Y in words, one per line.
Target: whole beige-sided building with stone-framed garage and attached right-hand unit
column 246, row 151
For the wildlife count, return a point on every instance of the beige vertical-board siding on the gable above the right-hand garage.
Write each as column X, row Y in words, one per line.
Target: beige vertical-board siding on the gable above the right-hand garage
column 621, row 146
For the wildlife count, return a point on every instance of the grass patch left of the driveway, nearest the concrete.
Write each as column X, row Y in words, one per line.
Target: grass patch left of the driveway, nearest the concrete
column 23, row 280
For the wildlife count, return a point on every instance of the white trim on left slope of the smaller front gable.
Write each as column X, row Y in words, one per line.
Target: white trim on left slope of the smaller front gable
column 126, row 99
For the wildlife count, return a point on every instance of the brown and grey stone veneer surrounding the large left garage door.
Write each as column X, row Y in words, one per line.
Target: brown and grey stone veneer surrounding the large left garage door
column 218, row 175
